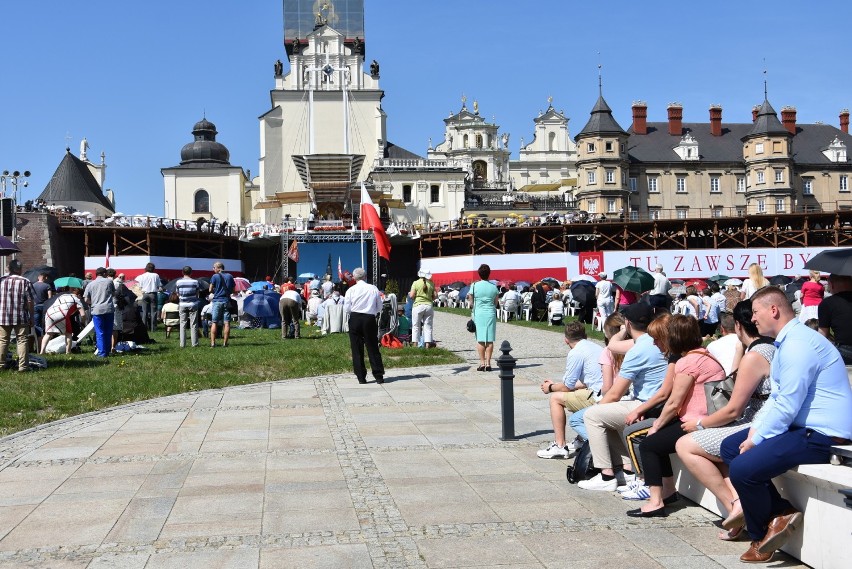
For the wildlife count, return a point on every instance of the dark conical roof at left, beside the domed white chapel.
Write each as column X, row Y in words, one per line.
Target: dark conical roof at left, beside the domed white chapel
column 74, row 185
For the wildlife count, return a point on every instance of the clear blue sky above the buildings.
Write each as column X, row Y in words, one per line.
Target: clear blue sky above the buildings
column 133, row 77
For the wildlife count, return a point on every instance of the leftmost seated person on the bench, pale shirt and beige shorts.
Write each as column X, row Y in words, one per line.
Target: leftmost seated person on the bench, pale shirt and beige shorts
column 581, row 385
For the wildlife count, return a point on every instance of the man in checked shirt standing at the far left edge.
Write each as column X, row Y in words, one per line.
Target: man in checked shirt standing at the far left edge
column 16, row 313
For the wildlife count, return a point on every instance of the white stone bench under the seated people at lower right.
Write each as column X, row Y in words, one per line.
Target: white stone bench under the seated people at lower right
column 826, row 534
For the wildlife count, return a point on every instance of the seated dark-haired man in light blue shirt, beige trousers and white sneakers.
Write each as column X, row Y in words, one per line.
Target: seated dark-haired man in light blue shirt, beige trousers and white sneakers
column 643, row 369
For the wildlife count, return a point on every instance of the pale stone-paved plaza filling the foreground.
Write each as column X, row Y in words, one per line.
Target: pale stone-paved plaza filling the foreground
column 323, row 472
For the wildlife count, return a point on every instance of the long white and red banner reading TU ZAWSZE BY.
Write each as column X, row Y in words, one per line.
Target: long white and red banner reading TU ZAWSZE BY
column 693, row 263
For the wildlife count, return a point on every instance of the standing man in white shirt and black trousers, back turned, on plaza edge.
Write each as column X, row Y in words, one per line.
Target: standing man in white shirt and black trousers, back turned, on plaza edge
column 363, row 302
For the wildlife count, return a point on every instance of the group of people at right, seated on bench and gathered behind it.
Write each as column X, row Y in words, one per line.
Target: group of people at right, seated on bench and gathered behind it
column 770, row 393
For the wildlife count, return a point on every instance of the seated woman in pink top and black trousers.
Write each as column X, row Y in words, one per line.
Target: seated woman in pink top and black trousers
column 686, row 403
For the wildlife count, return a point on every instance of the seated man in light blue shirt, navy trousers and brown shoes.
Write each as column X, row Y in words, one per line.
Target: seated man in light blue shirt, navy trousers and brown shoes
column 809, row 411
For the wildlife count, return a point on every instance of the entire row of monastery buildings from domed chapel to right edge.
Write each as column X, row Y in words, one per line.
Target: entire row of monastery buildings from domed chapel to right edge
column 325, row 133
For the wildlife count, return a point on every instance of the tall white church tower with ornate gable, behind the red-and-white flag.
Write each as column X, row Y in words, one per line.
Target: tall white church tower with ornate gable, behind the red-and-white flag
column 326, row 126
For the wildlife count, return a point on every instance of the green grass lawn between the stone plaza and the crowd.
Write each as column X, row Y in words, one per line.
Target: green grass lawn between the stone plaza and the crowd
column 79, row 383
